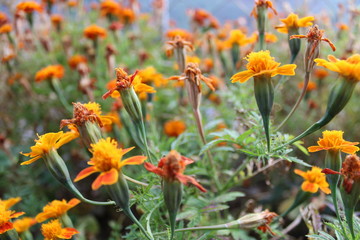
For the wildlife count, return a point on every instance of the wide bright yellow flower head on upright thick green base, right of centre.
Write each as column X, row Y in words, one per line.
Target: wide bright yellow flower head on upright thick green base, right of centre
column 261, row 63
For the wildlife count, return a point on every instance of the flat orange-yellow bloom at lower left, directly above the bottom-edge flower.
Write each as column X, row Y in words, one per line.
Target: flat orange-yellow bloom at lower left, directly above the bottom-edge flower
column 56, row 209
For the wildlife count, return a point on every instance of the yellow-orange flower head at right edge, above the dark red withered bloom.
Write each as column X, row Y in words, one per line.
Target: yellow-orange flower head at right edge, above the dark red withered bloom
column 333, row 141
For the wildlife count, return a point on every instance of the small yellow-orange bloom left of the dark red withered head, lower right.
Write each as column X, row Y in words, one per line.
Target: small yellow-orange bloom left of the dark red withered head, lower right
column 314, row 179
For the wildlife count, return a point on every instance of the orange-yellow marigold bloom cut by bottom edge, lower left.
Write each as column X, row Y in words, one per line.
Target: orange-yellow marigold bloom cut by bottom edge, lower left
column 54, row 231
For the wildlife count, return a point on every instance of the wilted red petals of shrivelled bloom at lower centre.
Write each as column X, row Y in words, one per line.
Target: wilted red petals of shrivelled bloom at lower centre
column 172, row 168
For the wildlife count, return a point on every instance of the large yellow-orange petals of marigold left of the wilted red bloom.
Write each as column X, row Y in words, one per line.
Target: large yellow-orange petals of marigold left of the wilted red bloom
column 107, row 159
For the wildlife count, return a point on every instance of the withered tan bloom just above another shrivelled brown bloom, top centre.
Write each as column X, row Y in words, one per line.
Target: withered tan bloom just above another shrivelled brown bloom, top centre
column 180, row 46
